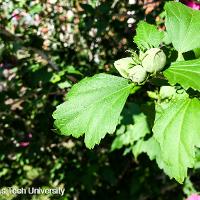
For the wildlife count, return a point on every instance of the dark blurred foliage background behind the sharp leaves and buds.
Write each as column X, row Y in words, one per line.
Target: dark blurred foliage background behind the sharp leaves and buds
column 45, row 48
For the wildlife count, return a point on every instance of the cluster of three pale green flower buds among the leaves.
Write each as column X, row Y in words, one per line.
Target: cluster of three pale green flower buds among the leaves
column 152, row 61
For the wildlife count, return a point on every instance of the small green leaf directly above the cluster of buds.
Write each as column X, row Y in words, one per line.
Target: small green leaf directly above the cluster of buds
column 147, row 36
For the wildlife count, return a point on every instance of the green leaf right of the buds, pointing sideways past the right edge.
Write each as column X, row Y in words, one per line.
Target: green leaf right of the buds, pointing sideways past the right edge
column 186, row 73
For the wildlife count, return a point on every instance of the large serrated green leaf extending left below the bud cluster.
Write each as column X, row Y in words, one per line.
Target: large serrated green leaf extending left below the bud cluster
column 93, row 107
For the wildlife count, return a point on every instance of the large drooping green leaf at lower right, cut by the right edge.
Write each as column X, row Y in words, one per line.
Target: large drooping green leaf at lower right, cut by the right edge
column 177, row 131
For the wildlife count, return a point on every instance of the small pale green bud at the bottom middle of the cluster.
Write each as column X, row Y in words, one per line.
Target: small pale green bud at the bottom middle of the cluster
column 137, row 74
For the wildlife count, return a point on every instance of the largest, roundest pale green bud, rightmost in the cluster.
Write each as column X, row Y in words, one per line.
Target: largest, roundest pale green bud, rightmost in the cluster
column 154, row 60
